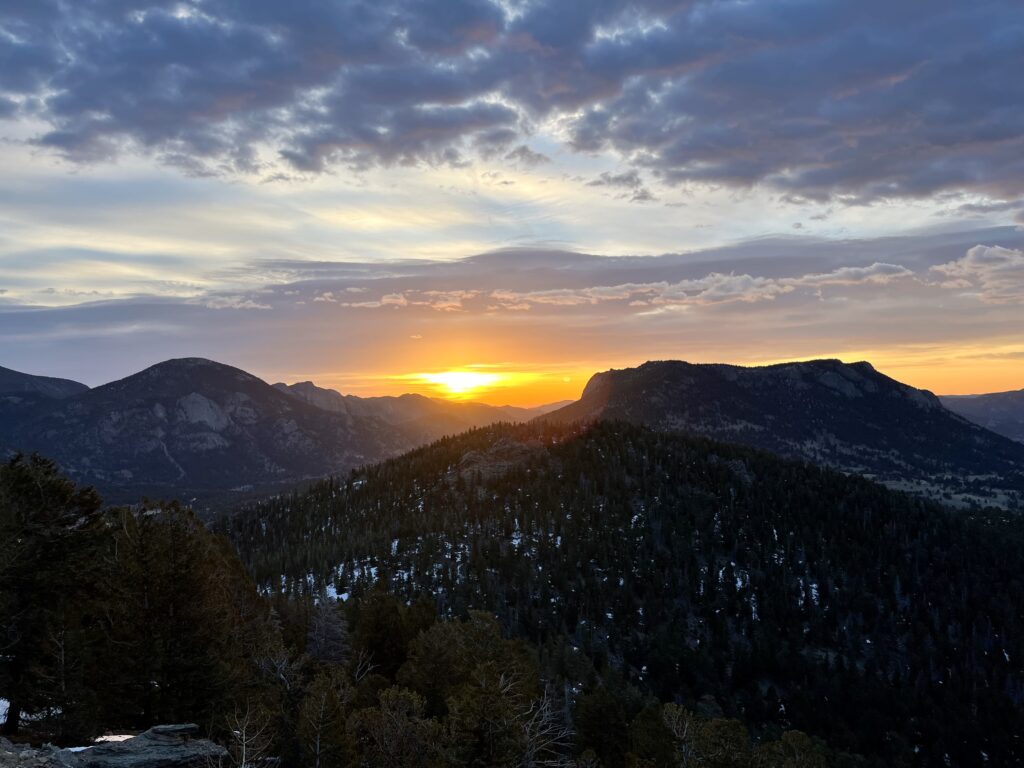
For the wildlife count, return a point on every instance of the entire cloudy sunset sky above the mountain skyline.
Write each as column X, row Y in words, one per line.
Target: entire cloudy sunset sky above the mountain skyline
column 372, row 196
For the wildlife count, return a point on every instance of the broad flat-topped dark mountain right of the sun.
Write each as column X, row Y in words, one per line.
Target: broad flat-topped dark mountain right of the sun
column 827, row 412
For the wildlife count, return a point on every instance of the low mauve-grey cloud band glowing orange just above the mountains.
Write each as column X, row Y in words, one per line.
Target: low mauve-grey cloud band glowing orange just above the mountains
column 770, row 298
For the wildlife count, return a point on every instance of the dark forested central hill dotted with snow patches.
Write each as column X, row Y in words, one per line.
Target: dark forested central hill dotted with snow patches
column 793, row 595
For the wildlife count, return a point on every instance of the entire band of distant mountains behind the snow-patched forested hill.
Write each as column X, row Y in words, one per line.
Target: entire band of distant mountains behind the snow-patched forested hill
column 201, row 431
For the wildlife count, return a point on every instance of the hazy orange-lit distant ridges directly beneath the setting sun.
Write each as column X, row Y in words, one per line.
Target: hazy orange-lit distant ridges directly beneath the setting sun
column 422, row 419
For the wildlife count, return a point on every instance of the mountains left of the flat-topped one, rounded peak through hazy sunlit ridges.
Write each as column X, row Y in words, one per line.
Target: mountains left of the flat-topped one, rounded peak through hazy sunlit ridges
column 210, row 434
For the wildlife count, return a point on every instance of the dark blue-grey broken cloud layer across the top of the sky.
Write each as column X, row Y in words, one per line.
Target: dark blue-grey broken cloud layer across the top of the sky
column 852, row 100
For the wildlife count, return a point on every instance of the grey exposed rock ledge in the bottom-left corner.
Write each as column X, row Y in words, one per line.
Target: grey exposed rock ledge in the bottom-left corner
column 161, row 747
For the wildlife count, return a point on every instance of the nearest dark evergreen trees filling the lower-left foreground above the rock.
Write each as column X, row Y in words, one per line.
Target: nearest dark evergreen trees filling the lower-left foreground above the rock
column 122, row 619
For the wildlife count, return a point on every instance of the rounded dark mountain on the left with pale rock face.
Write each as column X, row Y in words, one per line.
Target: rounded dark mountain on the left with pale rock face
column 195, row 428
